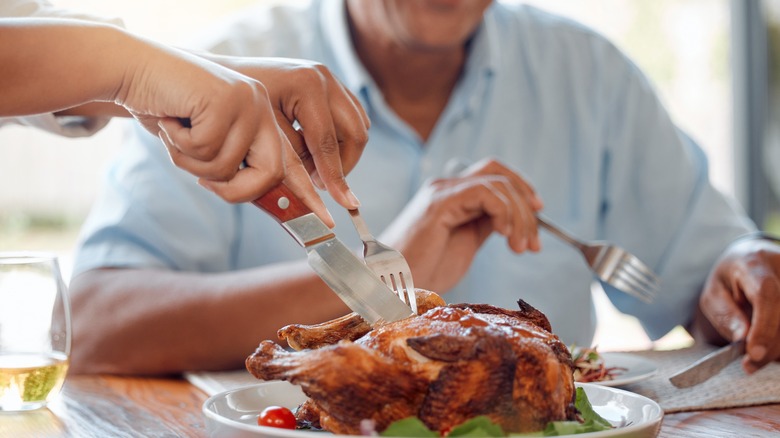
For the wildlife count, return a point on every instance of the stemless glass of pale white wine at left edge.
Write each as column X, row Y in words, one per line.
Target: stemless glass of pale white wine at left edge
column 34, row 330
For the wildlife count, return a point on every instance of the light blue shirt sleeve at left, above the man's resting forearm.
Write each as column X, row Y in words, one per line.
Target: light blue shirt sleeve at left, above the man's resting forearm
column 152, row 214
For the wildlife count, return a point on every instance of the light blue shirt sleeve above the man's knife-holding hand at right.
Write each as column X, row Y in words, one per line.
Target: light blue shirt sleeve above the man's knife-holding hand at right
column 658, row 202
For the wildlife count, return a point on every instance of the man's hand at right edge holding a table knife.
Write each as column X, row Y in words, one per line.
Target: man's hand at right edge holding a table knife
column 741, row 299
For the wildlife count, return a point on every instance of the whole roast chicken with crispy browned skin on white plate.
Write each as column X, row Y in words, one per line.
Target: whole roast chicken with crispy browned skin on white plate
column 444, row 366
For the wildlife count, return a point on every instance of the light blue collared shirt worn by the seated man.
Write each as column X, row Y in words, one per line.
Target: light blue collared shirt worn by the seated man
column 545, row 95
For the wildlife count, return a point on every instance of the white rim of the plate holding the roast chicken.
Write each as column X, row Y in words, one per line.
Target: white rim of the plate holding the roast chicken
column 653, row 422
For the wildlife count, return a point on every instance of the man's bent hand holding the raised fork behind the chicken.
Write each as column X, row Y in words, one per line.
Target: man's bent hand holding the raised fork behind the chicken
column 442, row 228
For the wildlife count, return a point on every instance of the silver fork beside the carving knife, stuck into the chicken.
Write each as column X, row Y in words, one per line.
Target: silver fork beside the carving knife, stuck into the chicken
column 387, row 263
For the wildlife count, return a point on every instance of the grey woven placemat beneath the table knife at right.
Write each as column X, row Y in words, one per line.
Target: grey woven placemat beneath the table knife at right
column 731, row 388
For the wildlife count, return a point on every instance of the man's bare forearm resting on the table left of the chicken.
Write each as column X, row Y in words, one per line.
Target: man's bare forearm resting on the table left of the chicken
column 159, row 322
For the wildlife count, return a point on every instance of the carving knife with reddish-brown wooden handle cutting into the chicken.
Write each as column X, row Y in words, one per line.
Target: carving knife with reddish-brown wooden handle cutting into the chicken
column 339, row 267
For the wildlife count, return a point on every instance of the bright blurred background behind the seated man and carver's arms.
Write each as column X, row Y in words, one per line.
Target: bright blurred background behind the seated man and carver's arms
column 715, row 63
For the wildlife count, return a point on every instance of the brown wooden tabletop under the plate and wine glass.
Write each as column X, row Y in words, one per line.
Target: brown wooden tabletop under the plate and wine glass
column 109, row 406
